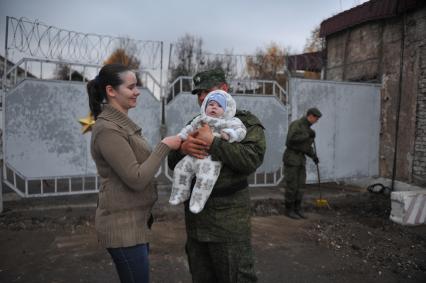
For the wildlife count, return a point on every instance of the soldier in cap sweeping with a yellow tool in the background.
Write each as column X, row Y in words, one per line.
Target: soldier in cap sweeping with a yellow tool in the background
column 299, row 141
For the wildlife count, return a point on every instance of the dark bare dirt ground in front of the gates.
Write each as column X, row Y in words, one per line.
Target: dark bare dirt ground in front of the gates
column 54, row 241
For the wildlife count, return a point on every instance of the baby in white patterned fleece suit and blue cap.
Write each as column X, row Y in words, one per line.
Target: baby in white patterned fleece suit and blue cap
column 217, row 111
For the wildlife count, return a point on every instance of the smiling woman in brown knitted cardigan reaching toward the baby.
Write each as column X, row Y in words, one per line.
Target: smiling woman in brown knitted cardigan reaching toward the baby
column 126, row 167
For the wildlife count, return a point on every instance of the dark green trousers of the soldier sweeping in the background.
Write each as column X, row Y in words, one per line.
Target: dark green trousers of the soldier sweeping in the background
column 295, row 180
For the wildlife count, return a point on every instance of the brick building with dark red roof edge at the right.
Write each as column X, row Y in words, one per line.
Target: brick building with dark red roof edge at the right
column 384, row 41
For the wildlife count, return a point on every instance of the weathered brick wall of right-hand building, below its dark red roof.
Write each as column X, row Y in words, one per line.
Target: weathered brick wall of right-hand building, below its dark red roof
column 371, row 52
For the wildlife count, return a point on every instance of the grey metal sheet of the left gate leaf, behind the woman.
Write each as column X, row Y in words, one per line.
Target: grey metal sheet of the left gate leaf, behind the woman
column 42, row 133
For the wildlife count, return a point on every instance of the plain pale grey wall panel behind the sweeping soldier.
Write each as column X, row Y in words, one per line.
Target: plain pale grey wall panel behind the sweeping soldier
column 347, row 135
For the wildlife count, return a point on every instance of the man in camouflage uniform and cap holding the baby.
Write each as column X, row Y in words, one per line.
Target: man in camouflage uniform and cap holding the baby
column 219, row 237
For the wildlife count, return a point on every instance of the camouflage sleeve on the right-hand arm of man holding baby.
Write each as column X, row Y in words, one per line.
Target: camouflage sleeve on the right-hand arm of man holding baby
column 245, row 156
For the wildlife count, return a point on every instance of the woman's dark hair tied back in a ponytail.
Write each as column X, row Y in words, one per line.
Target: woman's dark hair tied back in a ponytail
column 96, row 89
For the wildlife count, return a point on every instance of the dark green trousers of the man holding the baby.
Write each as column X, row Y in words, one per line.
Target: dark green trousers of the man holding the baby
column 220, row 262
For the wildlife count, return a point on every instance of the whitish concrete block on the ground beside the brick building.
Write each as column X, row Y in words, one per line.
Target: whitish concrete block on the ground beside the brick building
column 408, row 207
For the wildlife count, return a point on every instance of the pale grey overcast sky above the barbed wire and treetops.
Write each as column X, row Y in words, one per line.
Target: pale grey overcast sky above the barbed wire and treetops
column 238, row 25
